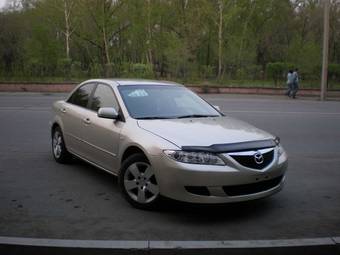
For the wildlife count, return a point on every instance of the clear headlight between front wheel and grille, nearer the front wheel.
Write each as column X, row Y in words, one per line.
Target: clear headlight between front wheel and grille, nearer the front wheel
column 203, row 158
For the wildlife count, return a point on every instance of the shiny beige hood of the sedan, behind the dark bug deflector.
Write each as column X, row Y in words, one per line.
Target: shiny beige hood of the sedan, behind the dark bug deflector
column 204, row 131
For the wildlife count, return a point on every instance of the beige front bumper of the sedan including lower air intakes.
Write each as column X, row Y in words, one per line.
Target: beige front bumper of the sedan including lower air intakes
column 218, row 184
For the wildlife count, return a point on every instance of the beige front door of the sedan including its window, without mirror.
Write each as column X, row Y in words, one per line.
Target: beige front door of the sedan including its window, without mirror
column 101, row 135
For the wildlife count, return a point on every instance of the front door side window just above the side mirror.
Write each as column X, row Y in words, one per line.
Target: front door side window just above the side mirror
column 103, row 97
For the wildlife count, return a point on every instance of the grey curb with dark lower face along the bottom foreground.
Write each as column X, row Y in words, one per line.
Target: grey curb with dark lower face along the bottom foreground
column 30, row 246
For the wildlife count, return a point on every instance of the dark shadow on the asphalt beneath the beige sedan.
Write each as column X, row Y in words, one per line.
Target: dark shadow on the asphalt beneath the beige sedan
column 189, row 212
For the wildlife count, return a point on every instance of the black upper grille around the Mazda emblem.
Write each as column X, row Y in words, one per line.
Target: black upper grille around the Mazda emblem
column 250, row 161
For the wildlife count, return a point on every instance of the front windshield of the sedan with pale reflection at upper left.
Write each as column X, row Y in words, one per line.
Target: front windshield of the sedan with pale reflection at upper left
column 164, row 102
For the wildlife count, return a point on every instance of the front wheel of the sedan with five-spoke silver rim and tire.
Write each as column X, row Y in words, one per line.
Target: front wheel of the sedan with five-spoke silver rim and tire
column 138, row 182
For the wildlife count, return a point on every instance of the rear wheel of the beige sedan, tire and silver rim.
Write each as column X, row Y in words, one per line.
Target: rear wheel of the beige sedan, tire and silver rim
column 59, row 151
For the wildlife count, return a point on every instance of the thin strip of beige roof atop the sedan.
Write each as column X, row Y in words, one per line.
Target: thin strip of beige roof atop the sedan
column 119, row 82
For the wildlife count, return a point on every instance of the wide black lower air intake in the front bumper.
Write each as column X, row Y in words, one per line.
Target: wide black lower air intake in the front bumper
column 246, row 189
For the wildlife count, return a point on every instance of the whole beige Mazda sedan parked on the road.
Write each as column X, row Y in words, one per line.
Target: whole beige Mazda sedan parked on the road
column 161, row 139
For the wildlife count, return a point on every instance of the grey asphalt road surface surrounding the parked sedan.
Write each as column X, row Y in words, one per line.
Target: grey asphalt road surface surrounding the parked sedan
column 40, row 198
